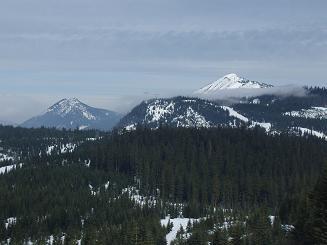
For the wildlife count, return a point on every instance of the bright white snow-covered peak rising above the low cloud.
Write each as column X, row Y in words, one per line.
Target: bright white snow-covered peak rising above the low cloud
column 231, row 81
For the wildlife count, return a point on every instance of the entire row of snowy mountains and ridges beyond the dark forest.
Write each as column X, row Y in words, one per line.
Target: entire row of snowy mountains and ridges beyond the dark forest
column 305, row 114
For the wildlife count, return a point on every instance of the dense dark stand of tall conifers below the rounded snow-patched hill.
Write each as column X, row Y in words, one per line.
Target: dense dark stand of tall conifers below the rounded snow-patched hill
column 233, row 168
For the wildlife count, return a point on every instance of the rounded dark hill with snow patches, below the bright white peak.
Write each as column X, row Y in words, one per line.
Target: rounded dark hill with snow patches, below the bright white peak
column 184, row 112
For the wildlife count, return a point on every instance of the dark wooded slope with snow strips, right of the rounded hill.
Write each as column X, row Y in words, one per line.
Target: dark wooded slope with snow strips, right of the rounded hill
column 286, row 112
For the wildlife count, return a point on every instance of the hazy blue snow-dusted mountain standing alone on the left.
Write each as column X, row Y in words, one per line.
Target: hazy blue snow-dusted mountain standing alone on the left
column 72, row 114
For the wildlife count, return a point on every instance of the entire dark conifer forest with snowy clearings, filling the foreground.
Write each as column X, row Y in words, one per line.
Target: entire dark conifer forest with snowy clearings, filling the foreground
column 227, row 186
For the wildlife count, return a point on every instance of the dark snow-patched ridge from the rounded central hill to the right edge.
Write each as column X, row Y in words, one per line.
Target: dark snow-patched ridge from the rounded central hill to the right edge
column 301, row 115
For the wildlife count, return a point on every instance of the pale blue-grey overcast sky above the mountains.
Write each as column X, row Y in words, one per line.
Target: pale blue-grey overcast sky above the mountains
column 113, row 54
